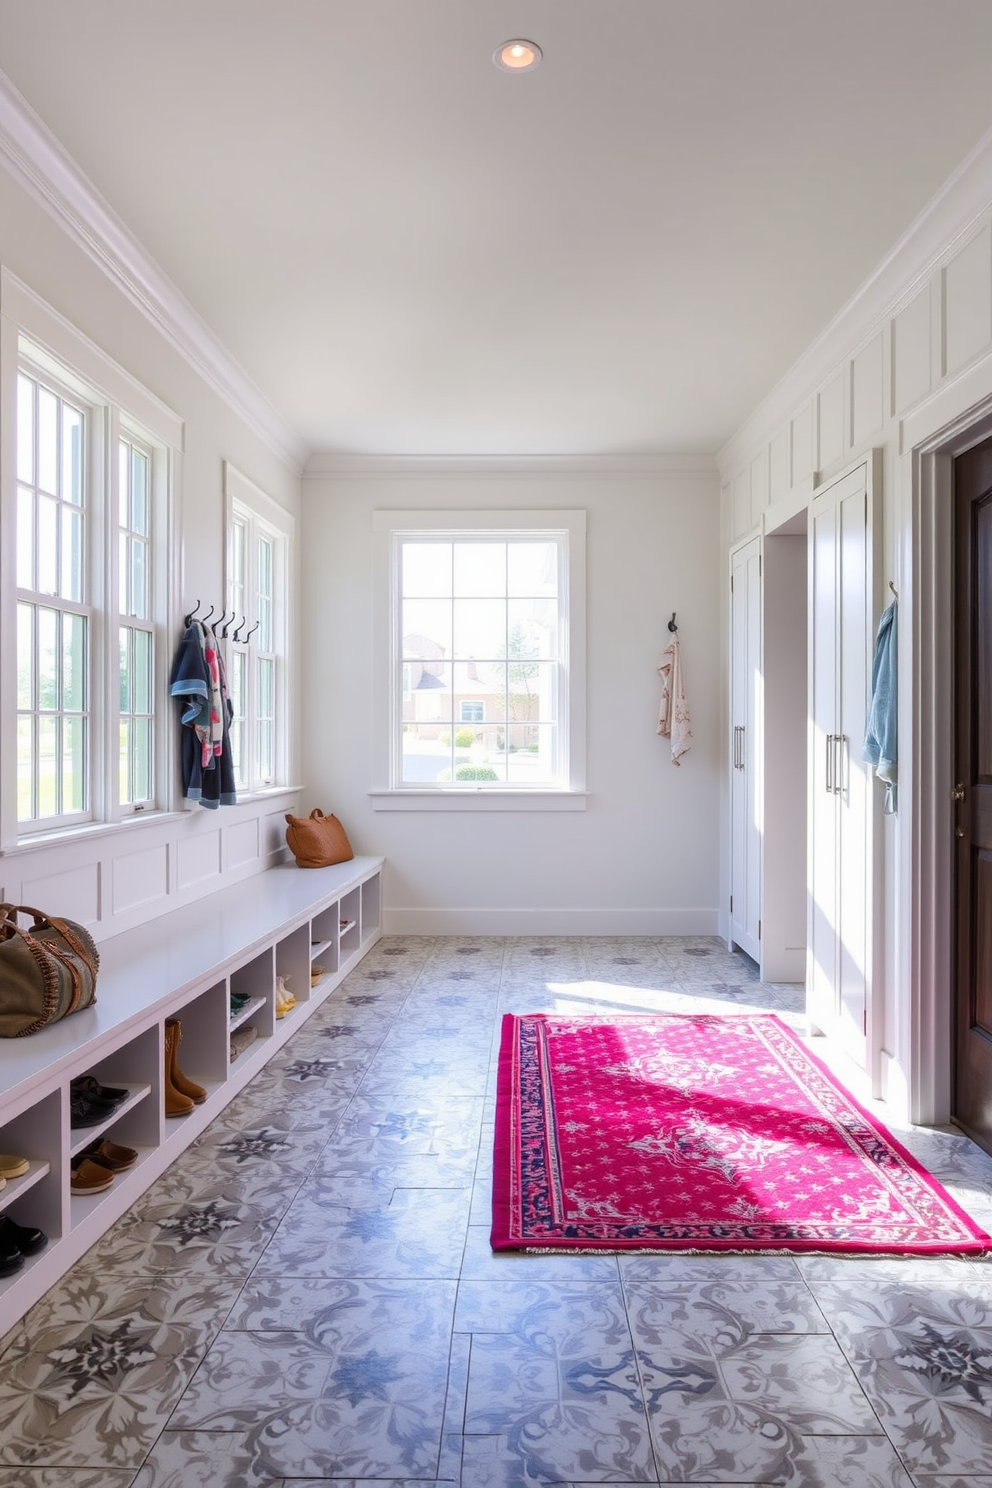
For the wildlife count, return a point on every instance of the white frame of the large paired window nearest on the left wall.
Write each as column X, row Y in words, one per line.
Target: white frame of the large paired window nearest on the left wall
column 39, row 339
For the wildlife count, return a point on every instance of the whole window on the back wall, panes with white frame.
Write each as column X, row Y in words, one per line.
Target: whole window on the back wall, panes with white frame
column 481, row 657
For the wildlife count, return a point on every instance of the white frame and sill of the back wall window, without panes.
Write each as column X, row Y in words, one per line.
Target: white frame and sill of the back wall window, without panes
column 390, row 529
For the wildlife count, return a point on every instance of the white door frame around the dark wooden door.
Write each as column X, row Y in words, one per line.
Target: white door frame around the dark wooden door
column 930, row 441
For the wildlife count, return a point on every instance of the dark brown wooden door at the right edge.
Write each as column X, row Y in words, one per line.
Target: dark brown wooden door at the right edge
column 973, row 792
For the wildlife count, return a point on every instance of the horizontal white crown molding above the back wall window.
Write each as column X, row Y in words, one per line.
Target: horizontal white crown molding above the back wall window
column 340, row 466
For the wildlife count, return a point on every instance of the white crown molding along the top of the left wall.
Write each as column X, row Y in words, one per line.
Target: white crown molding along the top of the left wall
column 42, row 166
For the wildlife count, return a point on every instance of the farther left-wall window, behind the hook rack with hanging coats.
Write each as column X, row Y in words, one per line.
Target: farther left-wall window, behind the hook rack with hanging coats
column 260, row 545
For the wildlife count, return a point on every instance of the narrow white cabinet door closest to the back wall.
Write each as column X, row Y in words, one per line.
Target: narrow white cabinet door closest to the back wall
column 746, row 754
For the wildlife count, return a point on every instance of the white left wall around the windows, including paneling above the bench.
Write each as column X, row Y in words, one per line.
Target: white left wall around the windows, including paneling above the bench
column 130, row 874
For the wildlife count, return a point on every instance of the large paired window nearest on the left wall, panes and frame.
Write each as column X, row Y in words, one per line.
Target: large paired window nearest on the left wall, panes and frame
column 87, row 541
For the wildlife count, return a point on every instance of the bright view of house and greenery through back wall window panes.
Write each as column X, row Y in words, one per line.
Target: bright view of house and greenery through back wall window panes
column 483, row 660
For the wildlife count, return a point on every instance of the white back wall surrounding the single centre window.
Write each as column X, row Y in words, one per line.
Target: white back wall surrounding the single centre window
column 643, row 858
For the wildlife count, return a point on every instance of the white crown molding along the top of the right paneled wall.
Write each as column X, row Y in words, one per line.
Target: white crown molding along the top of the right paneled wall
column 944, row 227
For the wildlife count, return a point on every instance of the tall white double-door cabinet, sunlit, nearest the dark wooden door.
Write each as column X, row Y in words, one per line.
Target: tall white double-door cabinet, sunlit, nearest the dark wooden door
column 841, row 841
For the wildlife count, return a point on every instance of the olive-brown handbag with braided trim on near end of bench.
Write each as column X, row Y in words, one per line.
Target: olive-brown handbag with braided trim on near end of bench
column 45, row 972
